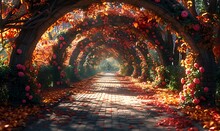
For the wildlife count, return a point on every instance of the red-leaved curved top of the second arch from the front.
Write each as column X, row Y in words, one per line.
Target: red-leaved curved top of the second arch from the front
column 133, row 34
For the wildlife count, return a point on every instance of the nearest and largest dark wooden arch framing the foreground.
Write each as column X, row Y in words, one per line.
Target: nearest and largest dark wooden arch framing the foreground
column 167, row 10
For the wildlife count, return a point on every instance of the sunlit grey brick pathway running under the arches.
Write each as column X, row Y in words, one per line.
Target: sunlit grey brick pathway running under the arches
column 107, row 106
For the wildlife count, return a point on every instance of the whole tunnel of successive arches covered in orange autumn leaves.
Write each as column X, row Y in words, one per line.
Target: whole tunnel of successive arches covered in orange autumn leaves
column 132, row 29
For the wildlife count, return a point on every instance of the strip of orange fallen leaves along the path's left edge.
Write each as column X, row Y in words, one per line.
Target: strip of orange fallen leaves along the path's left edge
column 16, row 118
